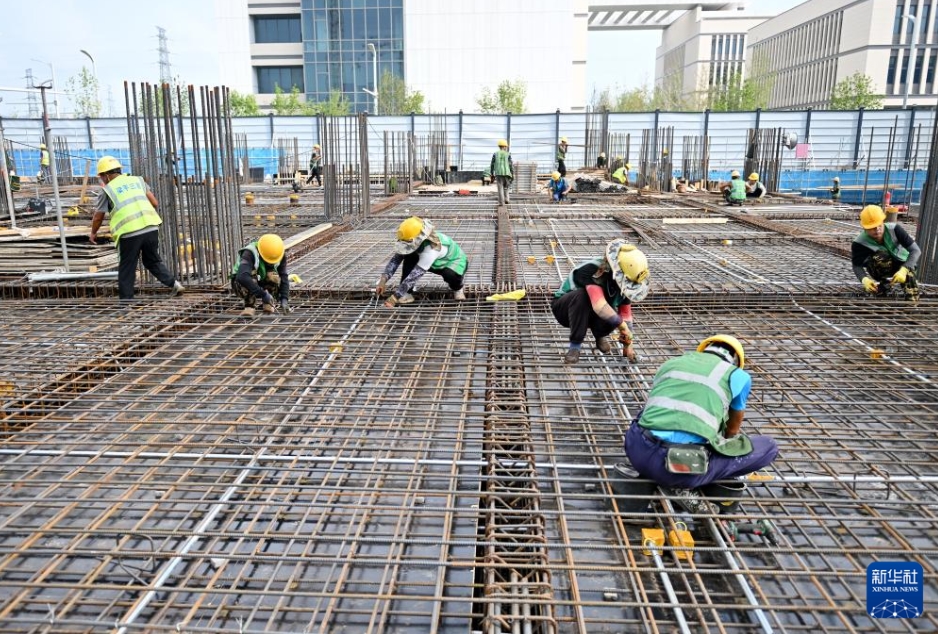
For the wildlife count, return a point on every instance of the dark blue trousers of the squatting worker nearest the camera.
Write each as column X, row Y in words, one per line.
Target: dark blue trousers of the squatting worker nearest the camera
column 648, row 456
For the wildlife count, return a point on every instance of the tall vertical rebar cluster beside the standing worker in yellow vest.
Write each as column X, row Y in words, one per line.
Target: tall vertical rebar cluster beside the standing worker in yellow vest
column 184, row 148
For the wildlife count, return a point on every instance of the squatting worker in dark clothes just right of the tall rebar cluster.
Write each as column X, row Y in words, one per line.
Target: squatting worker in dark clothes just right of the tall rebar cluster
column 261, row 274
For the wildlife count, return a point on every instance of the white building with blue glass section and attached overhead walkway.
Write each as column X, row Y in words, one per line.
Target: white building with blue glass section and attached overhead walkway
column 449, row 50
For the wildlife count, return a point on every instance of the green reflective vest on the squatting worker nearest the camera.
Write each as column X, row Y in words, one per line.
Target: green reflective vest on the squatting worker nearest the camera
column 691, row 393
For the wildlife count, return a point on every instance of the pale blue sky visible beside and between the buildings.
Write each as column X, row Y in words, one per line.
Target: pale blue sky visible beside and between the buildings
column 122, row 38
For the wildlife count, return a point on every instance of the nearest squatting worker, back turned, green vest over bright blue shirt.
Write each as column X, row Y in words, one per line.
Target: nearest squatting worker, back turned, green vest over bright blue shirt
column 688, row 433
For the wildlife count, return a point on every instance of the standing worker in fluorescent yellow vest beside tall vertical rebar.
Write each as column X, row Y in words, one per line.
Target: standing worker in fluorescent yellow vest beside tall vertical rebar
column 134, row 225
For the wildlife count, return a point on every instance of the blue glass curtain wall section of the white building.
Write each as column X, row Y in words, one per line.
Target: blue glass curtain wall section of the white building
column 336, row 56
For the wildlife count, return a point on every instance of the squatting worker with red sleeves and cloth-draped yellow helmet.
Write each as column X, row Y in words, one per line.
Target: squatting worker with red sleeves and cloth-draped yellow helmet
column 598, row 295
